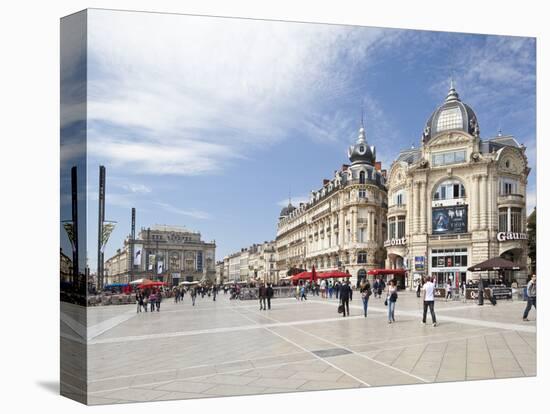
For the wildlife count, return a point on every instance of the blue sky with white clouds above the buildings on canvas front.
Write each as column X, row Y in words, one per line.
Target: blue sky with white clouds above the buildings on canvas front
column 210, row 123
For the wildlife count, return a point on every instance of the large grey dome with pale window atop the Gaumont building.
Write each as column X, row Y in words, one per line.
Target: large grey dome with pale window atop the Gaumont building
column 453, row 115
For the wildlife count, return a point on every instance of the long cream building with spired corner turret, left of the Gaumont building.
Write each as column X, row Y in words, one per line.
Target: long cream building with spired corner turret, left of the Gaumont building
column 343, row 226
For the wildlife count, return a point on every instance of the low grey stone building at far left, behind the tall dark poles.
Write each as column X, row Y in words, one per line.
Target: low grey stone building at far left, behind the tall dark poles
column 168, row 253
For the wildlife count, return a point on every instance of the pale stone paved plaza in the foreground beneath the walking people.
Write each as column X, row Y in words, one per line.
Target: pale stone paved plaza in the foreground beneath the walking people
column 228, row 347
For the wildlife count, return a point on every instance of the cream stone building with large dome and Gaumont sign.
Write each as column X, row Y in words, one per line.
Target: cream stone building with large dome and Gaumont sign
column 457, row 199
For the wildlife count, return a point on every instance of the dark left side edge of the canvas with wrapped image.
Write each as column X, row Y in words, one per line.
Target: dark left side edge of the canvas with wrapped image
column 73, row 270
